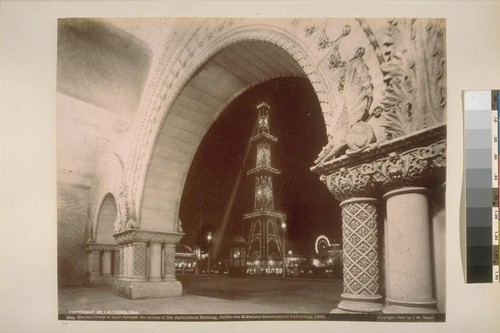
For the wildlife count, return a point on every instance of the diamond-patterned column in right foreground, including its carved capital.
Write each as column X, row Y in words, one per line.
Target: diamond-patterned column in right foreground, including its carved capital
column 359, row 238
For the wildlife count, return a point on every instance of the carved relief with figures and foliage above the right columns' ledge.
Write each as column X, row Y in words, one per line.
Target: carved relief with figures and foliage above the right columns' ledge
column 411, row 57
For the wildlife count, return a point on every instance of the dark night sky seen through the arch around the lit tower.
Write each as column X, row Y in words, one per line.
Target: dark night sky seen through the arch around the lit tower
column 217, row 188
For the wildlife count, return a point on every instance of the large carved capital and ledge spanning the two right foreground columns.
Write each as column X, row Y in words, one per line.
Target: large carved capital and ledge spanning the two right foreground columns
column 412, row 160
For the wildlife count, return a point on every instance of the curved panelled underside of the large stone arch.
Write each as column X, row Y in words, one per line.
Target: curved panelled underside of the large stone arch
column 220, row 80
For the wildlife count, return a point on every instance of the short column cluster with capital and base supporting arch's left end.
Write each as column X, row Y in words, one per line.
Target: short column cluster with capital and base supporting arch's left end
column 142, row 264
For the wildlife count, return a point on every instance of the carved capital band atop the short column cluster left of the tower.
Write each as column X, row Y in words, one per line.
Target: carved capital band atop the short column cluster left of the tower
column 147, row 236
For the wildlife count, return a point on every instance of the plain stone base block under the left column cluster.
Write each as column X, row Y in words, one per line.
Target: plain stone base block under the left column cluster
column 141, row 290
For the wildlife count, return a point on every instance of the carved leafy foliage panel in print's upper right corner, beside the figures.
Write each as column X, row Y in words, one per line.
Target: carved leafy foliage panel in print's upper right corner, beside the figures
column 414, row 72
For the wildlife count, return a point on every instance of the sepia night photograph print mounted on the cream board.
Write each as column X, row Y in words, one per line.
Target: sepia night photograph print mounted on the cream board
column 218, row 169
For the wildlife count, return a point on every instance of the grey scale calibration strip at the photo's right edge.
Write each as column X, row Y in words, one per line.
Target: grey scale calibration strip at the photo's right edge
column 481, row 112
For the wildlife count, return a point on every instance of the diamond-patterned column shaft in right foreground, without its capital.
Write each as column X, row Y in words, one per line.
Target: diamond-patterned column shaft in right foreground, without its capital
column 360, row 247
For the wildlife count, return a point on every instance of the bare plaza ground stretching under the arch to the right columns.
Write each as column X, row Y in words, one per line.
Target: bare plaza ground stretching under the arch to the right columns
column 214, row 295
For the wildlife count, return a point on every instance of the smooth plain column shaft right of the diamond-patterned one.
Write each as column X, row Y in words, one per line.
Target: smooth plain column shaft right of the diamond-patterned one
column 408, row 252
